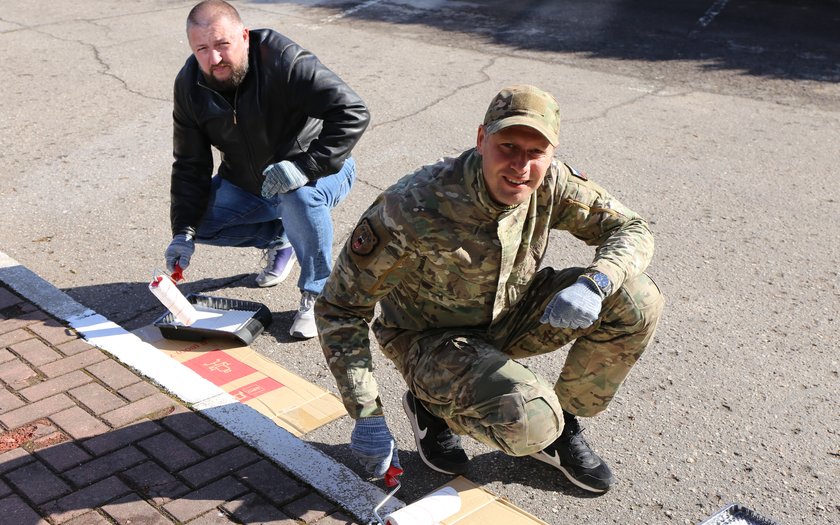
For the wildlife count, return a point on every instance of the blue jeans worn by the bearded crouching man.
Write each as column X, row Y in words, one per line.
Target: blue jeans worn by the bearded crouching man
column 235, row 217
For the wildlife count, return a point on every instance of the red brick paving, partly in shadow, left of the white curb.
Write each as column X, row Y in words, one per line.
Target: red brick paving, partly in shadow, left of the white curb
column 86, row 441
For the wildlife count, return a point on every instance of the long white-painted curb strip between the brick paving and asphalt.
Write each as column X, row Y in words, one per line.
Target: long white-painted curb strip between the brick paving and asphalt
column 327, row 476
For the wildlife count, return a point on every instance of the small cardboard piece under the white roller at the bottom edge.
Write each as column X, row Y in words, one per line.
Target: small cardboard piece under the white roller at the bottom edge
column 479, row 507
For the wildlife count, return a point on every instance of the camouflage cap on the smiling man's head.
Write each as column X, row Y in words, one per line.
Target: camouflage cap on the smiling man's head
column 524, row 105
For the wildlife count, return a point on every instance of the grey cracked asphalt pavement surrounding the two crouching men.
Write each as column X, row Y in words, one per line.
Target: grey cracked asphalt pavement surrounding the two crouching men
column 716, row 120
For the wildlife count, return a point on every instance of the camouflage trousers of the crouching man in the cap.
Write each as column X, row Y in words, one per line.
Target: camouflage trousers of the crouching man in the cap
column 471, row 377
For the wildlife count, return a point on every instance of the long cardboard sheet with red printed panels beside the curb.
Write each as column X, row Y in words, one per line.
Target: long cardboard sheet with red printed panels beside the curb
column 287, row 399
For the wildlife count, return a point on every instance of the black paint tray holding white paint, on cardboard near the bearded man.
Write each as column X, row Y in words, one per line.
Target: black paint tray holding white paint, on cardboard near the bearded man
column 219, row 318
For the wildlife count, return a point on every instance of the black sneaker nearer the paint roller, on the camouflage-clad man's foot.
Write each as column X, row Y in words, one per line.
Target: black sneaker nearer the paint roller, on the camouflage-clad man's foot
column 439, row 447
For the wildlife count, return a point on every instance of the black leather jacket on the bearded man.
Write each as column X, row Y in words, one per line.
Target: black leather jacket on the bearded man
column 288, row 107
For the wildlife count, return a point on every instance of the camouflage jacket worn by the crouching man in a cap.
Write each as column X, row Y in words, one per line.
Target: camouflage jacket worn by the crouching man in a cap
column 435, row 251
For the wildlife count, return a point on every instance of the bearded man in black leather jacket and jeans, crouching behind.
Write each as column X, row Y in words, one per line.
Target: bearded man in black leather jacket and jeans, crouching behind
column 285, row 126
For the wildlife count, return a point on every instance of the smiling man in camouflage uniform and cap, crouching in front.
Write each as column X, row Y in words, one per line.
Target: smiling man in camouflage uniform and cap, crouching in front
column 452, row 255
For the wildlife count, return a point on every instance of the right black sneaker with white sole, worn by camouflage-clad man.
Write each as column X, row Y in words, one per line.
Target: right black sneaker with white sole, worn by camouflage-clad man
column 570, row 453
